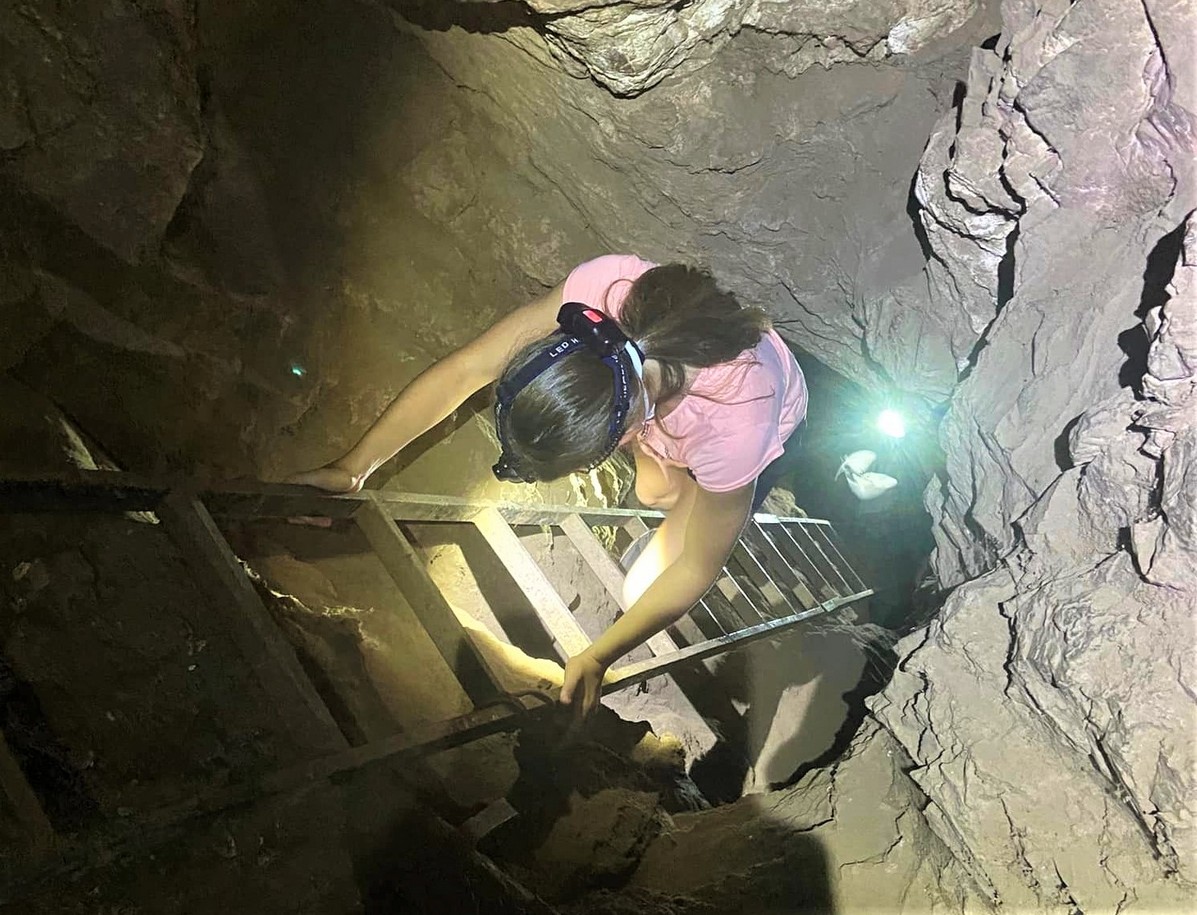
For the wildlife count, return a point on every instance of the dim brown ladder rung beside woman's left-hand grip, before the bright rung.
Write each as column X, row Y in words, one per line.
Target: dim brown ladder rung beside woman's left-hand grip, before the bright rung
column 430, row 607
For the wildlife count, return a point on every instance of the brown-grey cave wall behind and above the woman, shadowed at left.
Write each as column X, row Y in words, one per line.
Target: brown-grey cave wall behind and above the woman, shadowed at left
column 254, row 223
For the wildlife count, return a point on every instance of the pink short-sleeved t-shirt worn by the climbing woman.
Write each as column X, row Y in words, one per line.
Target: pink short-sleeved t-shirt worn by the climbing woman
column 737, row 416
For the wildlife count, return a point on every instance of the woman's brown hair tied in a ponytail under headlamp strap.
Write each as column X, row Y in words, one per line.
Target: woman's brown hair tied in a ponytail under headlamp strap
column 678, row 316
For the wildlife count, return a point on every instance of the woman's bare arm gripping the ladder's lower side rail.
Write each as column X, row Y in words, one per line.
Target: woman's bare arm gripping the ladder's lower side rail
column 710, row 525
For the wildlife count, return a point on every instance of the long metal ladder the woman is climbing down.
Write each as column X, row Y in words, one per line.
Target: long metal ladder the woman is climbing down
column 783, row 572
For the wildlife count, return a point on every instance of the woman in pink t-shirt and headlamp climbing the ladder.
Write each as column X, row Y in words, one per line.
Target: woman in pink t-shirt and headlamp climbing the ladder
column 658, row 360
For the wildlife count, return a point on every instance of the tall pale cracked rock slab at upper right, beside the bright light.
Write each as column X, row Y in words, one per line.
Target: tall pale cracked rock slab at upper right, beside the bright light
column 1087, row 143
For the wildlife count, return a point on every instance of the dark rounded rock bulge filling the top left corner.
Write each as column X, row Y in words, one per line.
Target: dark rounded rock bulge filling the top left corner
column 100, row 114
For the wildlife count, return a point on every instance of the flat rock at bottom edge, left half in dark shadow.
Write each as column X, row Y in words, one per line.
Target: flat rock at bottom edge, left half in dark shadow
column 846, row 839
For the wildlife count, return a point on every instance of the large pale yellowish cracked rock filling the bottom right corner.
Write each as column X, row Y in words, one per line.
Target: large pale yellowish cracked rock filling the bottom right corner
column 1078, row 676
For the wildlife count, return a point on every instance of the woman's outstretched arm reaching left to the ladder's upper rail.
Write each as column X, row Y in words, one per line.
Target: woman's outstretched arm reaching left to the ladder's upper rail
column 435, row 393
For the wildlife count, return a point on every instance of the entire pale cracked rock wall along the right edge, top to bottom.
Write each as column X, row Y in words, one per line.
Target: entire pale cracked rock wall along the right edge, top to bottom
column 1049, row 711
